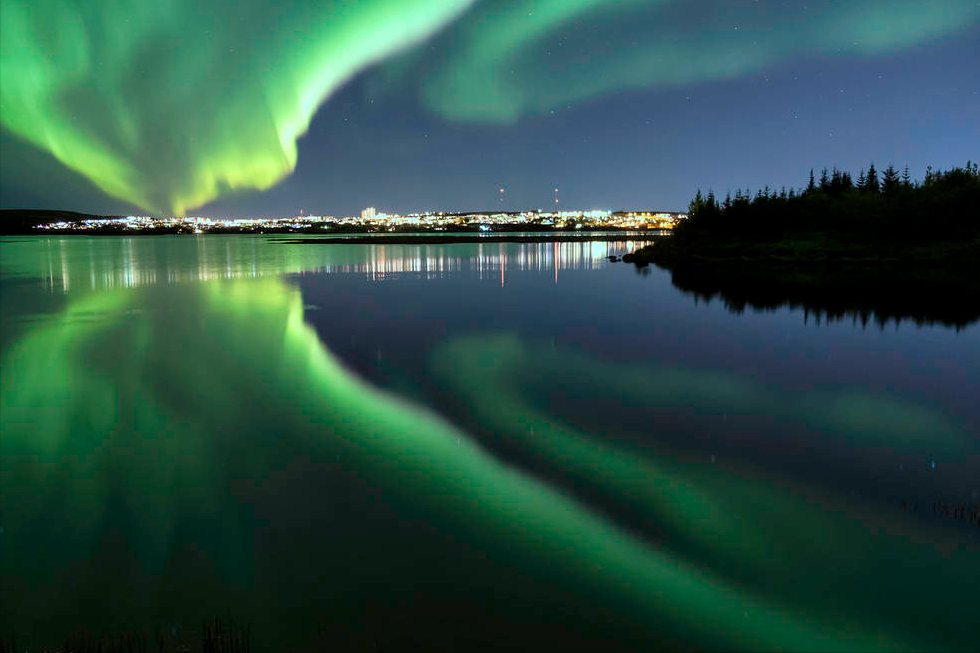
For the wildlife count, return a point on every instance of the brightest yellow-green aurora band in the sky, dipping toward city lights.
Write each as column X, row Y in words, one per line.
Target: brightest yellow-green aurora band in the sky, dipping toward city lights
column 167, row 104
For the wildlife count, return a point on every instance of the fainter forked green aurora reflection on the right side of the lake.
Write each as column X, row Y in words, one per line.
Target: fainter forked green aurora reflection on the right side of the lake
column 797, row 541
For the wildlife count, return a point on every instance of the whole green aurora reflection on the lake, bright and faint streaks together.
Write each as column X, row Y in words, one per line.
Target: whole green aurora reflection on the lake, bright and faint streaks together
column 219, row 459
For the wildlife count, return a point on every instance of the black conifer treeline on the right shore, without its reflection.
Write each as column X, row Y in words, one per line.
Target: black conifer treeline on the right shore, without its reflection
column 877, row 207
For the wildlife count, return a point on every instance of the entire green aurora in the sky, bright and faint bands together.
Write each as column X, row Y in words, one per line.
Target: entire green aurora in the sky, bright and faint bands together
column 168, row 105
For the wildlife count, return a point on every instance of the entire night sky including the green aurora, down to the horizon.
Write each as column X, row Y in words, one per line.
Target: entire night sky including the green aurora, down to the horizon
column 328, row 107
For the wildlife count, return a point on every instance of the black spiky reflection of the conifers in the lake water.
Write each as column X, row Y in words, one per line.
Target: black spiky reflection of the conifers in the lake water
column 860, row 294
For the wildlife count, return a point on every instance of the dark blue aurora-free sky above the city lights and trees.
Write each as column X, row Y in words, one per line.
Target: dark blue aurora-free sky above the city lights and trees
column 378, row 142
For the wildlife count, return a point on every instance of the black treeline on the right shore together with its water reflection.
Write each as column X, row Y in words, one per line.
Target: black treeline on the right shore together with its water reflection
column 881, row 247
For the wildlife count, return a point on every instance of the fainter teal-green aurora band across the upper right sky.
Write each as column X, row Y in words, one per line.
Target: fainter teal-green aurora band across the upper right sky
column 505, row 59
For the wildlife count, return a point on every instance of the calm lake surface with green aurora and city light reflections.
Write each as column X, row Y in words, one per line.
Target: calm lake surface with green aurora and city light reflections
column 463, row 446
